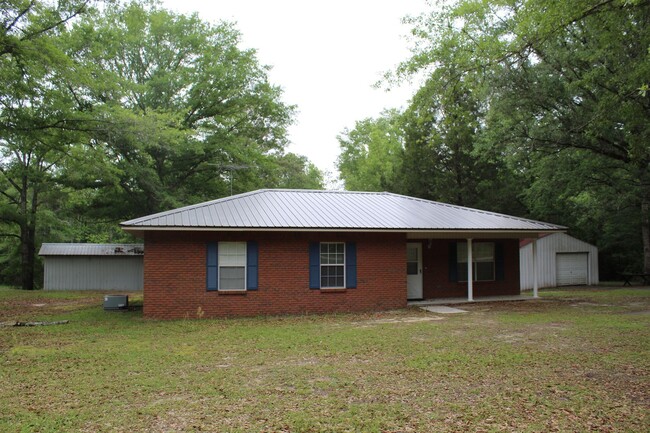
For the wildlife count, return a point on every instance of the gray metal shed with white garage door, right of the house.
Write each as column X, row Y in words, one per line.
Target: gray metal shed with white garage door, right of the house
column 562, row 260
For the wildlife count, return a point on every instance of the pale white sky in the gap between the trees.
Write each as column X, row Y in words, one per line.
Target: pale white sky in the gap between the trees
column 325, row 55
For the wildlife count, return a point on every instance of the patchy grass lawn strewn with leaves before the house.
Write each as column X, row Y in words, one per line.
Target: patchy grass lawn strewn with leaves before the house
column 575, row 360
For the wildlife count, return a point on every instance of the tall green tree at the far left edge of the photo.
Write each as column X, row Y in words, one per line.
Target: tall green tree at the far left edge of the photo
column 37, row 125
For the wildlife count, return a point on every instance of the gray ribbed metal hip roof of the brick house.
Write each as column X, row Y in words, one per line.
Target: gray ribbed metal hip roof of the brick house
column 276, row 209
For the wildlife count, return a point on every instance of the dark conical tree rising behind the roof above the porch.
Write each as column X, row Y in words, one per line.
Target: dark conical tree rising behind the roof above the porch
column 444, row 157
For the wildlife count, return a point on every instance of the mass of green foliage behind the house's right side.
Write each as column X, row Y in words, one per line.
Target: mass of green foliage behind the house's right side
column 558, row 86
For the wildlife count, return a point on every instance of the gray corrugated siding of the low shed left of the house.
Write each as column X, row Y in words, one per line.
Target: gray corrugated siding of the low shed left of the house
column 94, row 273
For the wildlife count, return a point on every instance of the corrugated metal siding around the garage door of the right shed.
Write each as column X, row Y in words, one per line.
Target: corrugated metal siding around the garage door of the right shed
column 547, row 249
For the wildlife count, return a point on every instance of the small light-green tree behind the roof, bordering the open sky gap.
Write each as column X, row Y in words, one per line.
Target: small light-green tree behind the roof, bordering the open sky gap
column 371, row 153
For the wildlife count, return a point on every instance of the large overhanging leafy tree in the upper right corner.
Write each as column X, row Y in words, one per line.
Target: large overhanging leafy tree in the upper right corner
column 553, row 76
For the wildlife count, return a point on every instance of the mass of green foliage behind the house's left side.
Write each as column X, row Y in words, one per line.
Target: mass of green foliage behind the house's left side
column 114, row 112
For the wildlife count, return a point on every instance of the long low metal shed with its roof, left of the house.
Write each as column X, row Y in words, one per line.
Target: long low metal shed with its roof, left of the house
column 93, row 266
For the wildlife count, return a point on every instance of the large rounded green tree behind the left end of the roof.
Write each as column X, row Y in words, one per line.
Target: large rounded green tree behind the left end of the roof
column 182, row 103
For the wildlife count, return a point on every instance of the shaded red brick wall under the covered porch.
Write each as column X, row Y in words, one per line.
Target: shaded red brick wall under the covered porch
column 435, row 272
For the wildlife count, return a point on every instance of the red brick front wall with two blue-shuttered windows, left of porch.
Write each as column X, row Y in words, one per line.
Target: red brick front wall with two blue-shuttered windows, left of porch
column 175, row 275
